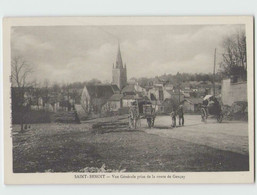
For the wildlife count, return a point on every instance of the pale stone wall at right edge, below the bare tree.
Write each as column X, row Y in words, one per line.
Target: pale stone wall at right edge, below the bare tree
column 232, row 92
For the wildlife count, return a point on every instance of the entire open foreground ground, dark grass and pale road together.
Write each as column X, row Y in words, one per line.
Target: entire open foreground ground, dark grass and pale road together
column 55, row 147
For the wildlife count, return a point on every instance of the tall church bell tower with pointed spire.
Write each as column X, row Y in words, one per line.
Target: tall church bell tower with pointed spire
column 119, row 72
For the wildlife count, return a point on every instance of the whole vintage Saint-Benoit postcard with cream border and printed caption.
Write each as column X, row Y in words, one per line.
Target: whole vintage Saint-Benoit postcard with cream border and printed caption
column 128, row 100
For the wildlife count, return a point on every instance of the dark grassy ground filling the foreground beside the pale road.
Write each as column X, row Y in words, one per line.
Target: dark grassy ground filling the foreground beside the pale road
column 73, row 147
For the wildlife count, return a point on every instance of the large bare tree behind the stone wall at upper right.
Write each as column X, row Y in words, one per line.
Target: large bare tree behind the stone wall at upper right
column 234, row 58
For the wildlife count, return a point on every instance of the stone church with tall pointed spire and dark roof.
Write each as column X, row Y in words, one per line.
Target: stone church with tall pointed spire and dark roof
column 114, row 97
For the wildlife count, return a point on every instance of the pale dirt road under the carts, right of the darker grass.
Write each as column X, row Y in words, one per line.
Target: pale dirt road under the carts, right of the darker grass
column 228, row 135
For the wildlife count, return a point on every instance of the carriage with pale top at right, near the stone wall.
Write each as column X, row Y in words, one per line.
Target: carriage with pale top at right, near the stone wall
column 211, row 106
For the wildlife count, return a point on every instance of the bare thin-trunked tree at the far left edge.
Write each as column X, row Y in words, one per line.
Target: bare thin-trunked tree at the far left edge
column 20, row 71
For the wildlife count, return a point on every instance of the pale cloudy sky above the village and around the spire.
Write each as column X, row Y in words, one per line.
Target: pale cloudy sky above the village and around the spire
column 67, row 54
